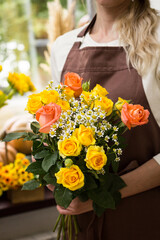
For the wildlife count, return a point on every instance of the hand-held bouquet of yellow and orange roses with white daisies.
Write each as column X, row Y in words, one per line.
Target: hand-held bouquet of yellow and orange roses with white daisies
column 77, row 144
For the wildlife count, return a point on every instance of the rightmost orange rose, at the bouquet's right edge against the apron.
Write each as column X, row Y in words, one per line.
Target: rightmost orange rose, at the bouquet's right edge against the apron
column 134, row 115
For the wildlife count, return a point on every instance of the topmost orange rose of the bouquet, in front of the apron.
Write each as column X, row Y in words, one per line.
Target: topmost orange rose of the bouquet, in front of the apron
column 74, row 81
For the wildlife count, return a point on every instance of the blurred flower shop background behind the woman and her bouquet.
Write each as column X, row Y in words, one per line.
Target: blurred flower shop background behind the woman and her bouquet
column 27, row 31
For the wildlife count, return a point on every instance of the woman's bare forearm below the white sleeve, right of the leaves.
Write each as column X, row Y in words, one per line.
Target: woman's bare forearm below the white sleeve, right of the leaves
column 141, row 179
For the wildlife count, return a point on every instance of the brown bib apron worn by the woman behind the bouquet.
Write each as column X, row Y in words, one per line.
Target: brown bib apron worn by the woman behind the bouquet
column 136, row 217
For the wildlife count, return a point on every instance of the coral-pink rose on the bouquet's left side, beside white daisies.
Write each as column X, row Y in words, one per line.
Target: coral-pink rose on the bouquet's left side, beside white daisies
column 47, row 115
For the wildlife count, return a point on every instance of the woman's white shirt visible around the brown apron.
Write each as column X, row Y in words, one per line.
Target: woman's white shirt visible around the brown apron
column 62, row 46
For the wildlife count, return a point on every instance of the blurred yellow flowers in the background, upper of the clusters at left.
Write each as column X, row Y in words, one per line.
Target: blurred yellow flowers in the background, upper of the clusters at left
column 19, row 83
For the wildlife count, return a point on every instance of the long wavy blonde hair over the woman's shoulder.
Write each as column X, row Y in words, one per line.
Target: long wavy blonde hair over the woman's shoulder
column 138, row 31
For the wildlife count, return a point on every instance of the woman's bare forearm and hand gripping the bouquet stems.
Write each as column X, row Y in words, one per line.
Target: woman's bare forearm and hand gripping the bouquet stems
column 139, row 180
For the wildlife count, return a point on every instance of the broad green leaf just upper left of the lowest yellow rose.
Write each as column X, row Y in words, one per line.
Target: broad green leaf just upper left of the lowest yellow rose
column 49, row 160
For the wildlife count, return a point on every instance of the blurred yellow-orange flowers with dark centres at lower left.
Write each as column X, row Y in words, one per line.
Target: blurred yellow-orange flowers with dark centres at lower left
column 13, row 175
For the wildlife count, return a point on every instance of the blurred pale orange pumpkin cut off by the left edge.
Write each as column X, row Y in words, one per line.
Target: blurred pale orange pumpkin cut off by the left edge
column 9, row 156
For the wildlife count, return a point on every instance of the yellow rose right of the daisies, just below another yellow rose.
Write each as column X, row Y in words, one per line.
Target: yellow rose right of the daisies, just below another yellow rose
column 105, row 103
